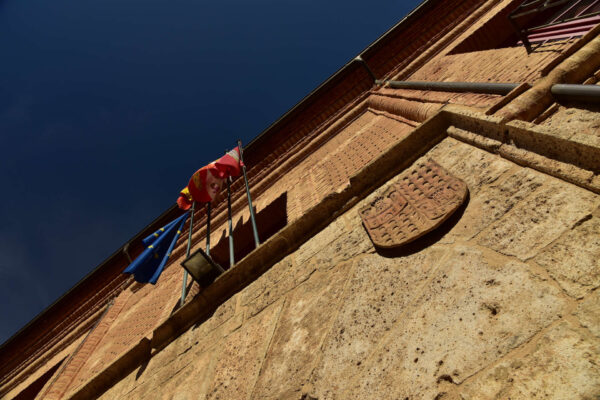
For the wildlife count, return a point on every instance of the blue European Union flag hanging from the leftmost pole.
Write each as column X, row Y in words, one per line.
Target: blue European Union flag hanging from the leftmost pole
column 148, row 266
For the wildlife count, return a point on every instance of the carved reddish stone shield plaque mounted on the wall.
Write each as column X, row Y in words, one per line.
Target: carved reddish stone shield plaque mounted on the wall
column 423, row 198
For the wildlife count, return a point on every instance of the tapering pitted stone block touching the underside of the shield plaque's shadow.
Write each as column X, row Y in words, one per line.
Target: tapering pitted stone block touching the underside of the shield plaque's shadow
column 375, row 298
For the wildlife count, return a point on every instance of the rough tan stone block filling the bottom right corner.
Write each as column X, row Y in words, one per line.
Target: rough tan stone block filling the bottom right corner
column 563, row 364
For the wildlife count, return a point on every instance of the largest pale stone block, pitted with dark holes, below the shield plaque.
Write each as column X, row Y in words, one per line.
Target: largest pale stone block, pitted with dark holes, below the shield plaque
column 476, row 309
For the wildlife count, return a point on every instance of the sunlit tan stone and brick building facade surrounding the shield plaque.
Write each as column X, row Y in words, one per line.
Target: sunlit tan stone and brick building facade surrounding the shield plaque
column 499, row 302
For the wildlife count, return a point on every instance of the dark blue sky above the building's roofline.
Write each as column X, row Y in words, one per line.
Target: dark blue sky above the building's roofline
column 108, row 106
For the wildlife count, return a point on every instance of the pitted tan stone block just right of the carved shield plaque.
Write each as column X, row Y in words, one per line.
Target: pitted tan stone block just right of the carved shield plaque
column 540, row 219
